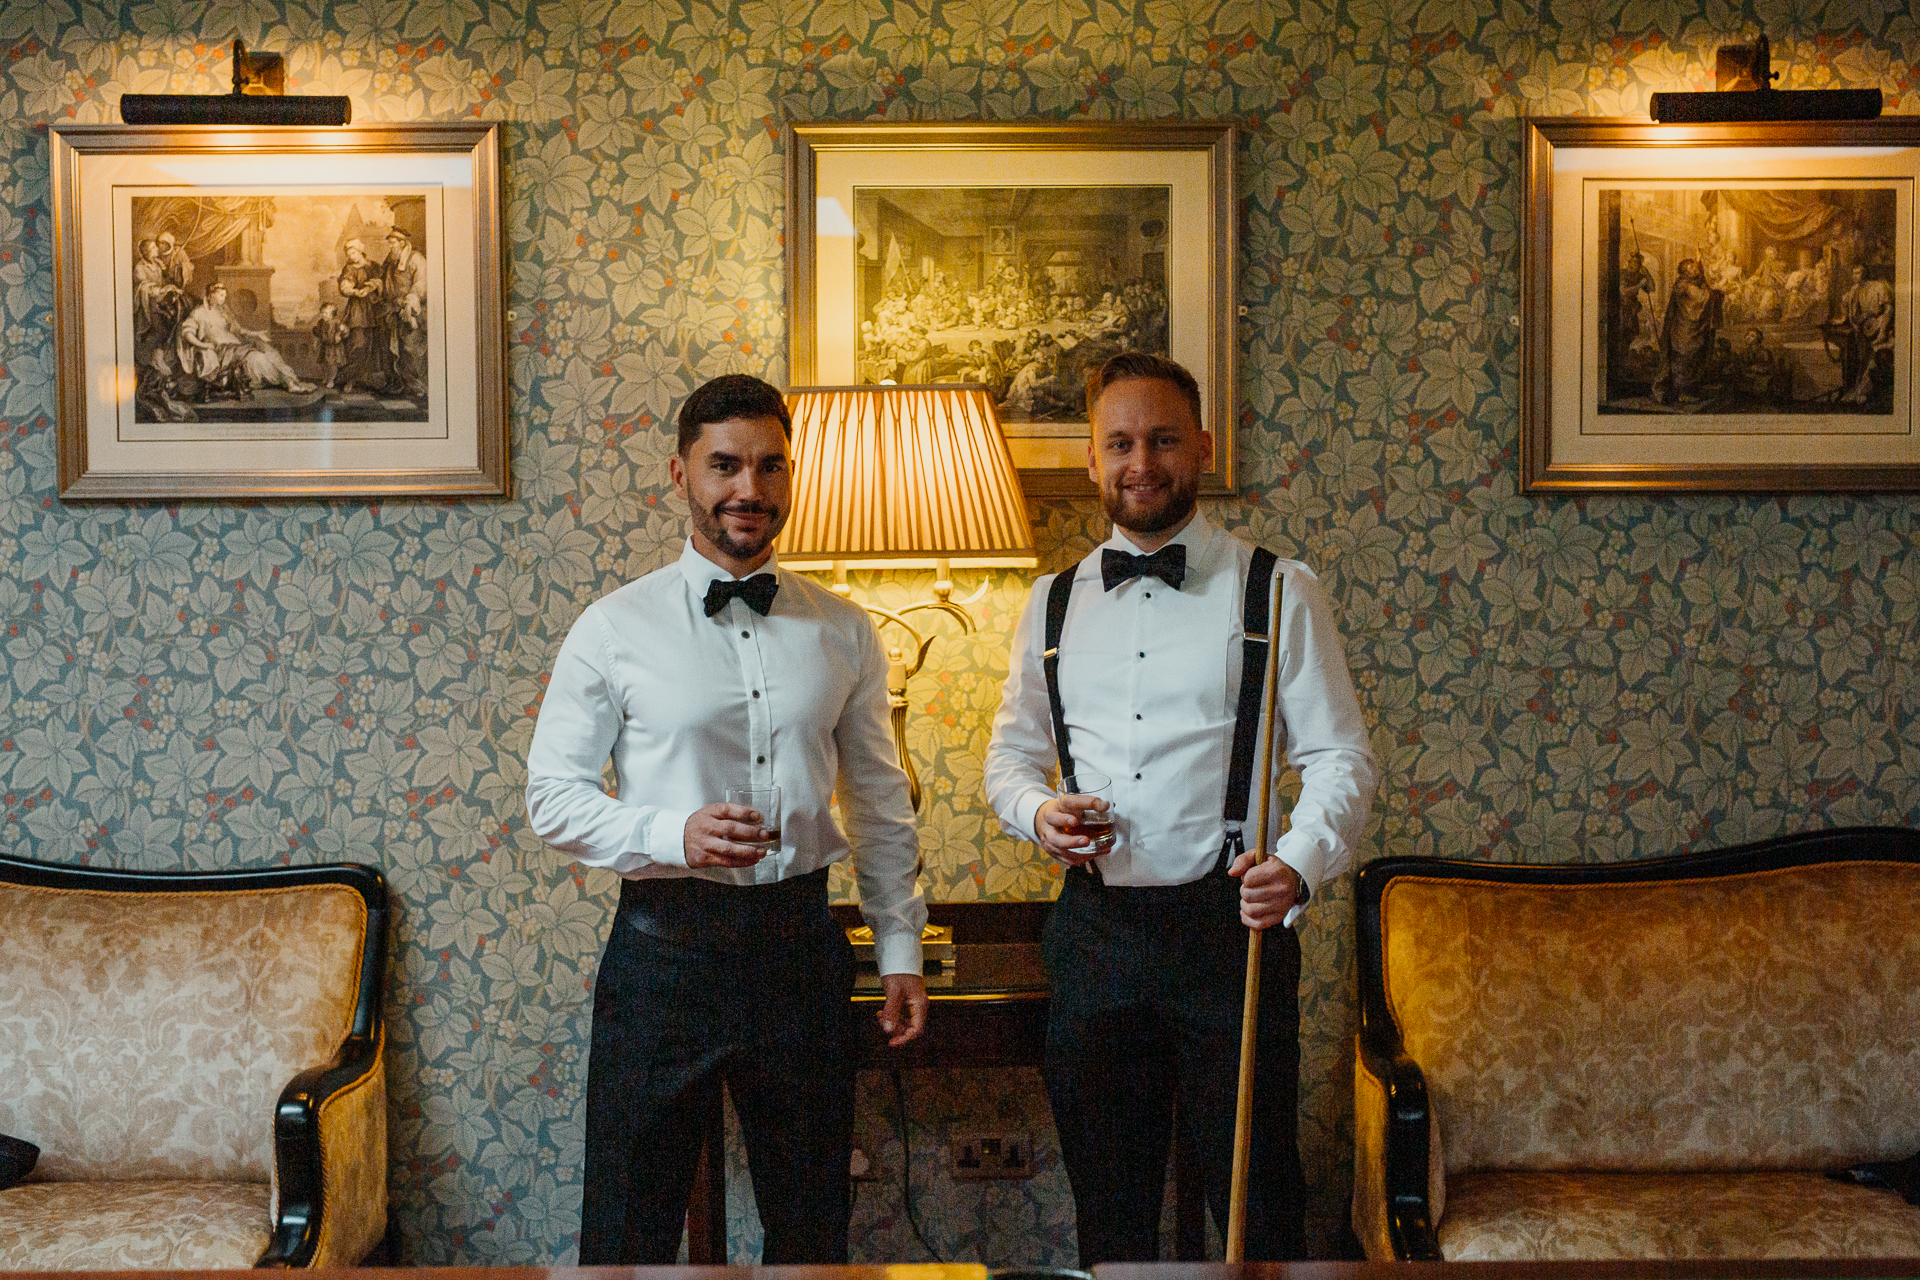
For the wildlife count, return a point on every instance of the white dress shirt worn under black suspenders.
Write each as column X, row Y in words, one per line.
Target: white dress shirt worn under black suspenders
column 1151, row 680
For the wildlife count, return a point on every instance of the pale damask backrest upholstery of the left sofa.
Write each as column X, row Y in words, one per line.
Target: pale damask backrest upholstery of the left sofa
column 151, row 1035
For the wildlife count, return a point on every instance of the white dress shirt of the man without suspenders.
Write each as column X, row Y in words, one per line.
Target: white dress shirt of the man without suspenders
column 690, row 705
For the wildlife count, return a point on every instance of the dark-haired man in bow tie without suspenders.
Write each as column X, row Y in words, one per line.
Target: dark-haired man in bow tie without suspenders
column 711, row 675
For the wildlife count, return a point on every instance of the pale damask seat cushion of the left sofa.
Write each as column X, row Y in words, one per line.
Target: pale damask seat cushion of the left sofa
column 133, row 1225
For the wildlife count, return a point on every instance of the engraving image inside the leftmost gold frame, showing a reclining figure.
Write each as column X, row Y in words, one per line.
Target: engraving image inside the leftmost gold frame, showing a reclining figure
column 270, row 318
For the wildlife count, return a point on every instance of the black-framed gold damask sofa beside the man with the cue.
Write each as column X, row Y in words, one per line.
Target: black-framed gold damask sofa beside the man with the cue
column 1708, row 1056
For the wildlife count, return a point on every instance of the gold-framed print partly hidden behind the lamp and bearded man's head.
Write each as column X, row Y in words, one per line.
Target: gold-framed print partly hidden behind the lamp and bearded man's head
column 1040, row 225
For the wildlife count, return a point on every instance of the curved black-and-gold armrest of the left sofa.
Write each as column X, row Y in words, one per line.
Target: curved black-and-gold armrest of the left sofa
column 329, row 1152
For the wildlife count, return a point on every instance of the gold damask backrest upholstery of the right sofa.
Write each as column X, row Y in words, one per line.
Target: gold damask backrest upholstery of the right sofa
column 1756, row 1022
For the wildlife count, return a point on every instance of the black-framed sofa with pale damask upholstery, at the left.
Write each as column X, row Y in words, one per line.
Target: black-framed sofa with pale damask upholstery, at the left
column 199, row 1058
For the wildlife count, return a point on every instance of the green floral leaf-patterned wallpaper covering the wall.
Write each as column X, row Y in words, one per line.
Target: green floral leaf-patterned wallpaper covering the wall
column 1596, row 678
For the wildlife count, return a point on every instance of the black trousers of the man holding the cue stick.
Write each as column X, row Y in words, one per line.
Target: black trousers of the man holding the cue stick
column 1147, row 991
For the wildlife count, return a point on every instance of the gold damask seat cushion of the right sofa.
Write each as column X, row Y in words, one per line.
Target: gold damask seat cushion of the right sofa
column 1499, row 1218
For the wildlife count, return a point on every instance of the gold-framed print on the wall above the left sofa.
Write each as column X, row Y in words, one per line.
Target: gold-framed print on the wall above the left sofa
column 279, row 312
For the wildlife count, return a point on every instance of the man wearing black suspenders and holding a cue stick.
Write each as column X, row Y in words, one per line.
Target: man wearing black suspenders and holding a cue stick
column 1145, row 665
